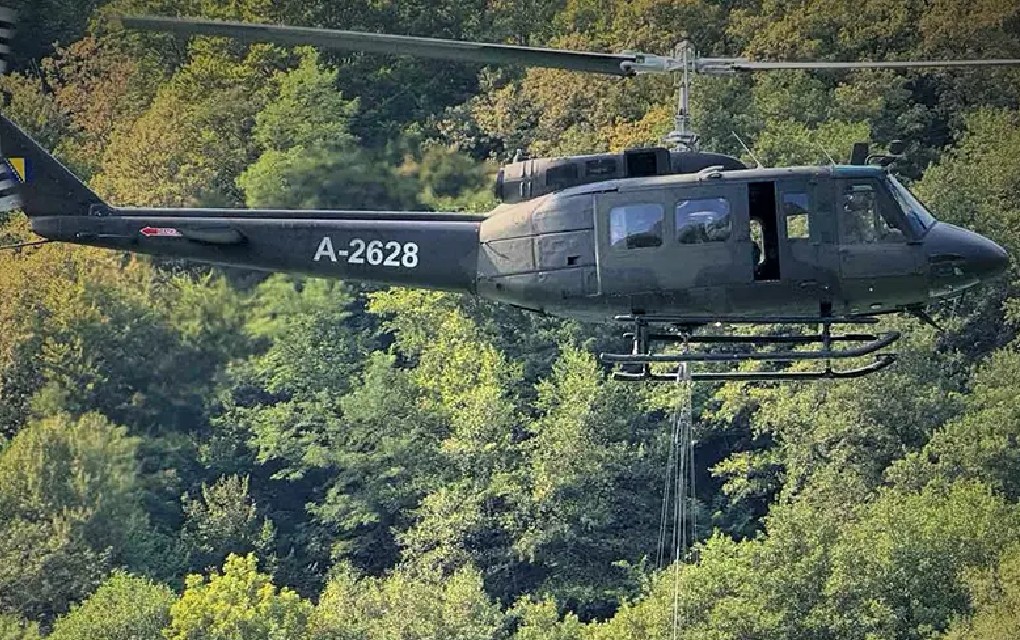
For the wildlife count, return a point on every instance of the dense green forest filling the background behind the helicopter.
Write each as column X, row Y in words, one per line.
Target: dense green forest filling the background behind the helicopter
column 195, row 453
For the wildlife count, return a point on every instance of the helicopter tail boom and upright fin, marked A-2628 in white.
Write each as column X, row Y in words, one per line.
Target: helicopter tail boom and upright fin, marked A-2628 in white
column 420, row 250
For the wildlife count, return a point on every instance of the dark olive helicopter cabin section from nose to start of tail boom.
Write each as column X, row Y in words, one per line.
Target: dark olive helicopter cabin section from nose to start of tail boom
column 562, row 254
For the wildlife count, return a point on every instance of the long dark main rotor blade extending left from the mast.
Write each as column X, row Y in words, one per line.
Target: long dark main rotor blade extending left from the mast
column 615, row 65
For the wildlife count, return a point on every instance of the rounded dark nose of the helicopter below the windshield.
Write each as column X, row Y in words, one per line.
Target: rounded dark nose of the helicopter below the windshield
column 960, row 259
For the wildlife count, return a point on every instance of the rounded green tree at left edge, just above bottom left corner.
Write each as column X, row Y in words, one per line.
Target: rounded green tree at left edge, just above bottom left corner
column 69, row 490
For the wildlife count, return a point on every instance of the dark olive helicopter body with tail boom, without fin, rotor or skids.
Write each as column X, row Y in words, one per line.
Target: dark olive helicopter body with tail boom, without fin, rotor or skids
column 724, row 244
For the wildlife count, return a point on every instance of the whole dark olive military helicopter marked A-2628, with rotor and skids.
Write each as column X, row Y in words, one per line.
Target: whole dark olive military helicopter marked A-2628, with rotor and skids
column 667, row 241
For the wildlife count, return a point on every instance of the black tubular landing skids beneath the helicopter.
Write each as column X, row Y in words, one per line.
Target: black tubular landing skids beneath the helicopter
column 650, row 331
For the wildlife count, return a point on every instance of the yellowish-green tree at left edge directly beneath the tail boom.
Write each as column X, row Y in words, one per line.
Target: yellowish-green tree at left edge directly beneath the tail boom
column 89, row 330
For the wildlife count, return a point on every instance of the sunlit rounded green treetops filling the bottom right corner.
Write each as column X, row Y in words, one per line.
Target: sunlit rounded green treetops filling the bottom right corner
column 893, row 568
